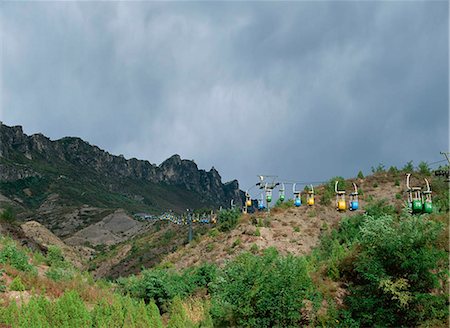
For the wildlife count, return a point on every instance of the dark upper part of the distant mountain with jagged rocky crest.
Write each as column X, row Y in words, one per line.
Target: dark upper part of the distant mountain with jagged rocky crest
column 20, row 154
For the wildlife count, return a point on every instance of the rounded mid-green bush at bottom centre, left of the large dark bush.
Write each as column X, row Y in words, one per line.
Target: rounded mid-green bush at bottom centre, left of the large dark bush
column 262, row 291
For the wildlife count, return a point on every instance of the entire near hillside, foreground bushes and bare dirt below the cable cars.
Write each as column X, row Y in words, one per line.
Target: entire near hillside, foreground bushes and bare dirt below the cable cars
column 306, row 266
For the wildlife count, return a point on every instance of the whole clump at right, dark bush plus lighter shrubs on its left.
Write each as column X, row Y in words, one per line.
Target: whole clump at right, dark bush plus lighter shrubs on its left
column 391, row 264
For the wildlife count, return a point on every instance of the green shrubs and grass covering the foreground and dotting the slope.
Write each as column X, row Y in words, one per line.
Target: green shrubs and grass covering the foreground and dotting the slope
column 383, row 268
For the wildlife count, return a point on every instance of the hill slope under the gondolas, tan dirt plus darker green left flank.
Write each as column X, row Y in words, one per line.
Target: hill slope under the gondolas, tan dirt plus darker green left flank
column 292, row 230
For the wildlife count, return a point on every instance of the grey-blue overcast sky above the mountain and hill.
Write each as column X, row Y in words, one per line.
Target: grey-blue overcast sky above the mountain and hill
column 302, row 90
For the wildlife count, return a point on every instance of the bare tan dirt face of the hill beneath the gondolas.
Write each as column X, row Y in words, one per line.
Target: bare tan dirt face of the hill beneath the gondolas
column 293, row 230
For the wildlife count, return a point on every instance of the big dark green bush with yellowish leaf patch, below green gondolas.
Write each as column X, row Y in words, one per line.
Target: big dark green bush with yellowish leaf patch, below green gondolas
column 395, row 271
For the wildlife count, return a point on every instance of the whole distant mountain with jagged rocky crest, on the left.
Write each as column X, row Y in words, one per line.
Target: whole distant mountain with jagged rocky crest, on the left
column 68, row 184
